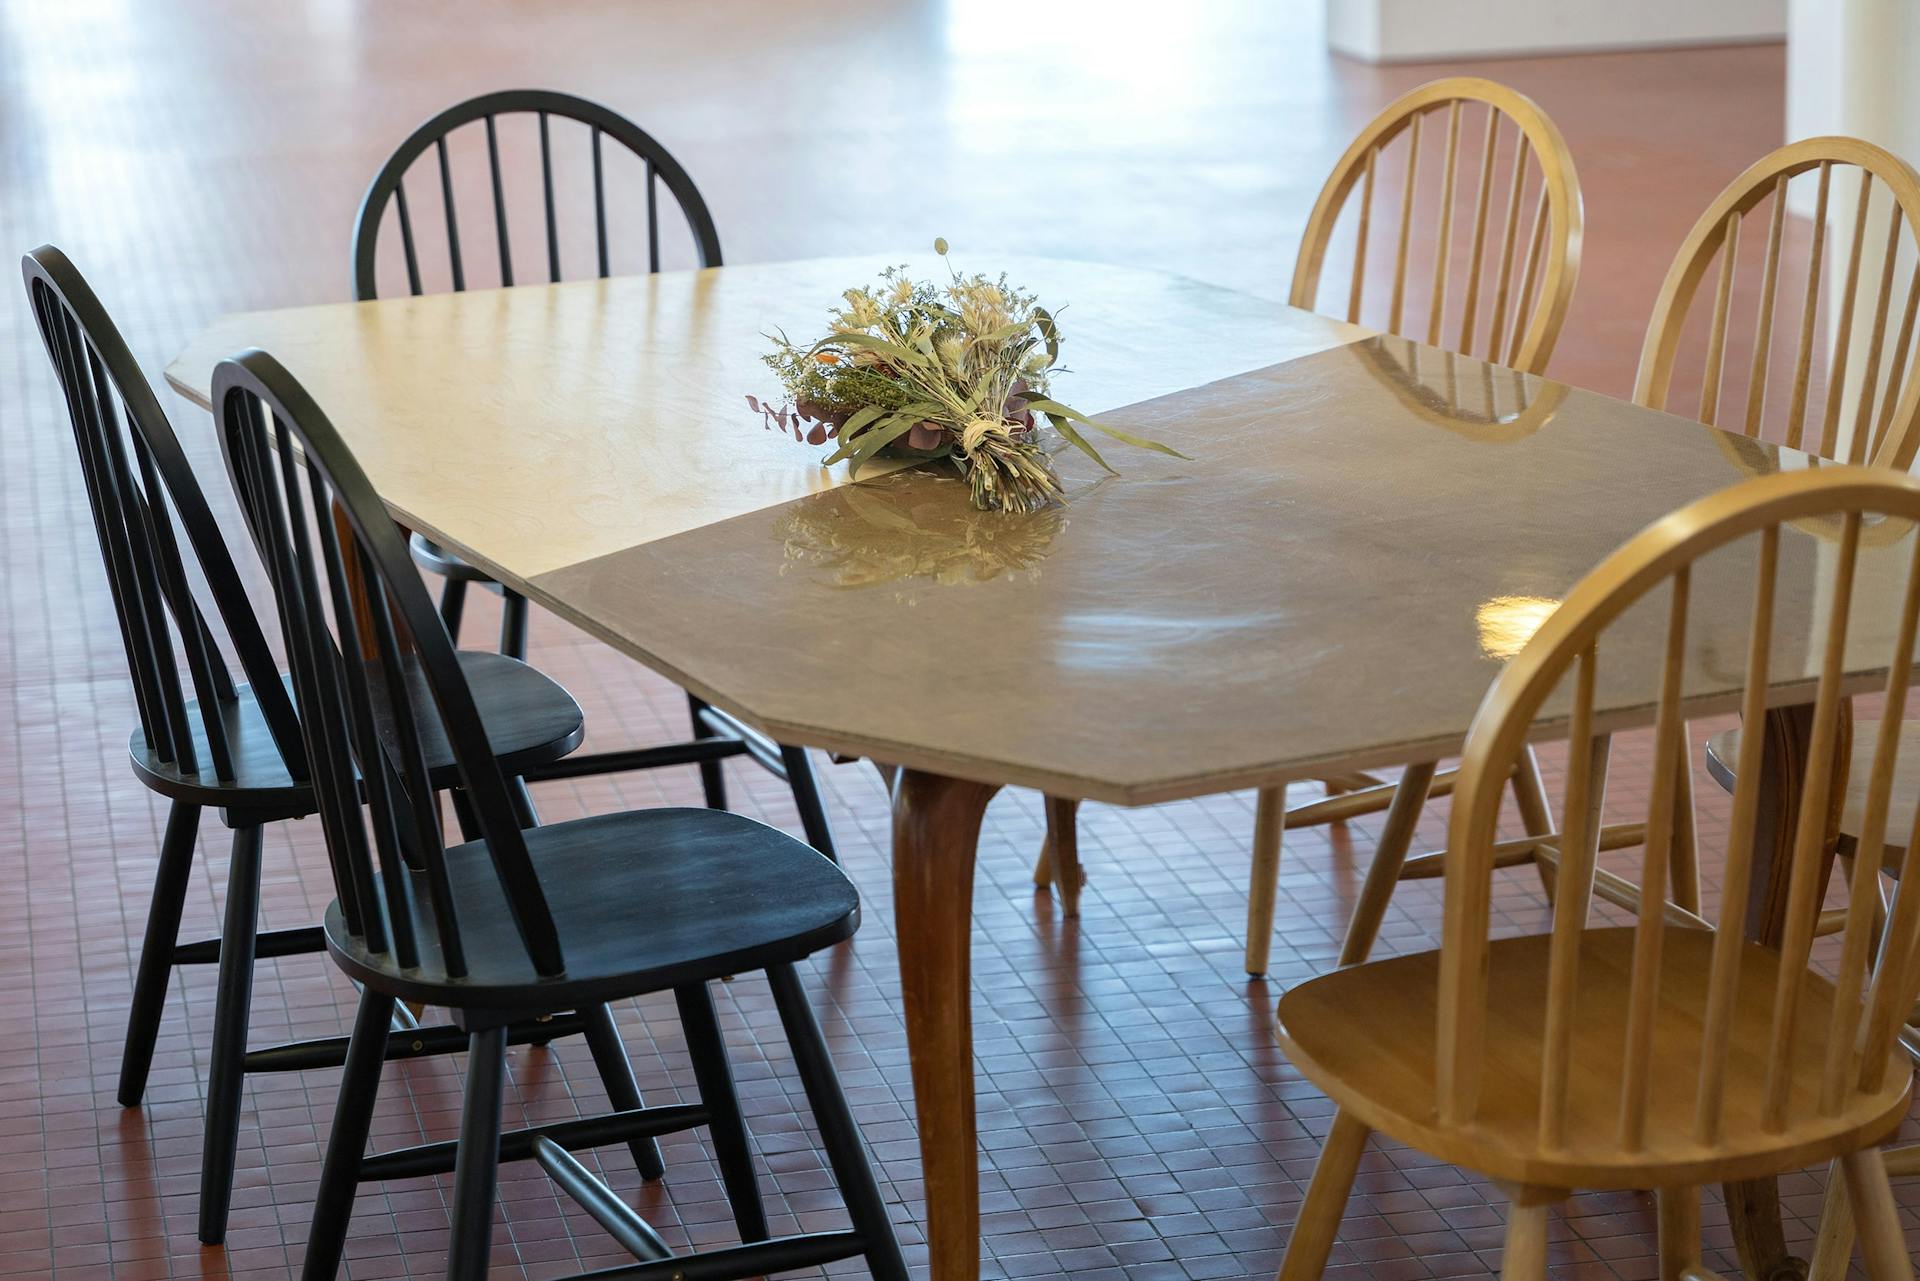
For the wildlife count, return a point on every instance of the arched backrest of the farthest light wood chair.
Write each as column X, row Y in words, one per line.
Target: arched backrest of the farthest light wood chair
column 1512, row 301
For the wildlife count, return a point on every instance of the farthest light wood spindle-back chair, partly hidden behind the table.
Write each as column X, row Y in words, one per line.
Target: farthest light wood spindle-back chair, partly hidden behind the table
column 1504, row 237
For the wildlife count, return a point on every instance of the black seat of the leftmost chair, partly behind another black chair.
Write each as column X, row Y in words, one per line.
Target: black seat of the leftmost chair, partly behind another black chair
column 529, row 717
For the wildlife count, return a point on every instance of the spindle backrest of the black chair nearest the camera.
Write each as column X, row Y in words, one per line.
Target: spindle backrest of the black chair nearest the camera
column 360, row 631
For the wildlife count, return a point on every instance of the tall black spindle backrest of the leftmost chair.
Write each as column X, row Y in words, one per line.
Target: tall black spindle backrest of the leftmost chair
column 137, row 485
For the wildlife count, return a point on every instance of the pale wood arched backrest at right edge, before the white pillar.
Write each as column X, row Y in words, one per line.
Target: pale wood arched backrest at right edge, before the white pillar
column 1888, row 437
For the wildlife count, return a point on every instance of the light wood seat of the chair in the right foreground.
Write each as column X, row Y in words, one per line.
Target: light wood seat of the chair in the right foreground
column 1368, row 1038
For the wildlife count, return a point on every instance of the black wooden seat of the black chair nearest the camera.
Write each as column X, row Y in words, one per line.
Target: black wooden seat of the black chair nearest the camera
column 642, row 902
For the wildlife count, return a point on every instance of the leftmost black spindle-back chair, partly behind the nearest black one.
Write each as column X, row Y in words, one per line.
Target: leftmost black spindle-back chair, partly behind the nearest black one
column 237, row 748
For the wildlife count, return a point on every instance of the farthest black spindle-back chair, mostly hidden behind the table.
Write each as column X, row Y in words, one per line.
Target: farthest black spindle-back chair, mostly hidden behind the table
column 385, row 206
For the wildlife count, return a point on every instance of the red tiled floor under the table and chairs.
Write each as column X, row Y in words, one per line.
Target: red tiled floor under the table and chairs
column 1138, row 1121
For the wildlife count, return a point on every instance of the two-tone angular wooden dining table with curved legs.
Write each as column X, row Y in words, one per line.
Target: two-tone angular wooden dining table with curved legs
column 1362, row 533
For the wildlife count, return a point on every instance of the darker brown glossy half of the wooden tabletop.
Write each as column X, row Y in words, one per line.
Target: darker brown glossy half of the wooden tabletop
column 1111, row 606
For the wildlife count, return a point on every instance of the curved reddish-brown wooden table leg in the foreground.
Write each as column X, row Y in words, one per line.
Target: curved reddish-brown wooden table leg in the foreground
column 936, row 831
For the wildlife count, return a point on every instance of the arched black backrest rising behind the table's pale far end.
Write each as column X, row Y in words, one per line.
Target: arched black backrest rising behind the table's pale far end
column 389, row 187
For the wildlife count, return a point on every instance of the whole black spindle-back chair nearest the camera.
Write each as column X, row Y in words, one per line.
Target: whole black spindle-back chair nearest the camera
column 517, row 921
